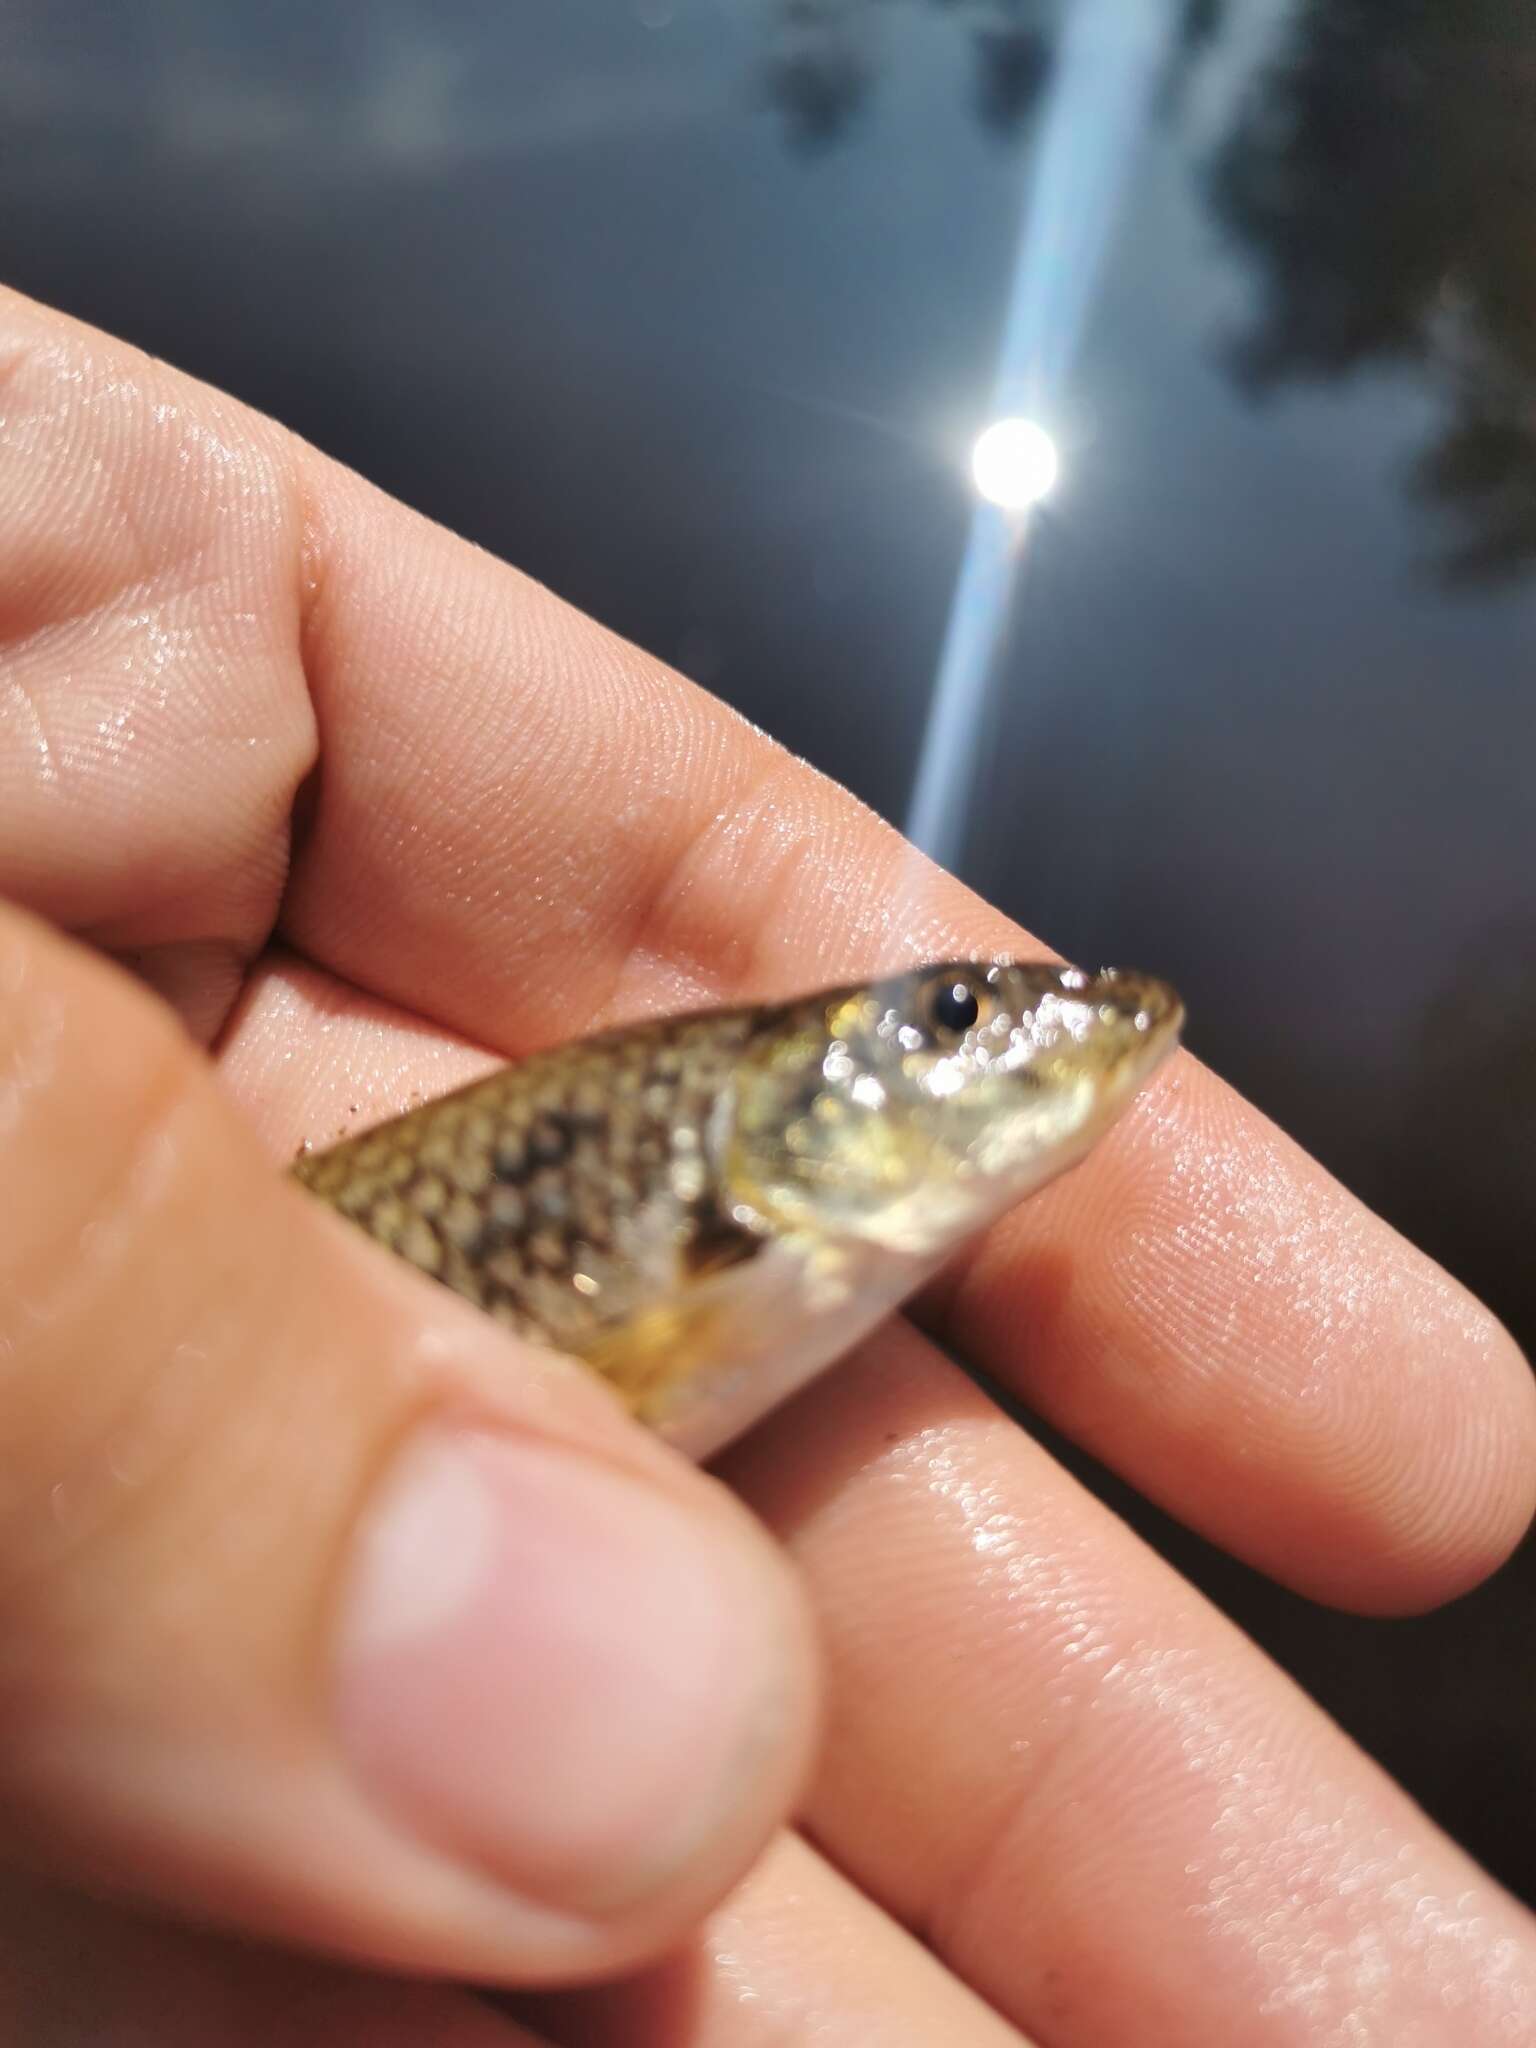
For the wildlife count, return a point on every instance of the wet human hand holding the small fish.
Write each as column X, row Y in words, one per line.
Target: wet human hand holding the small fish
column 366, row 806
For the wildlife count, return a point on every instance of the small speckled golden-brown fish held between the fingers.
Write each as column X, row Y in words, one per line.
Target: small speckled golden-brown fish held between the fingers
column 712, row 1207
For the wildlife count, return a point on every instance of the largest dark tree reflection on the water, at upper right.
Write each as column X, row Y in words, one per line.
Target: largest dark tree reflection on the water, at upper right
column 1383, row 171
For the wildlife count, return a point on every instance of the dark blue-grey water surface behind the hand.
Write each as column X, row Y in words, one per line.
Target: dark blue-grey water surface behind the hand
column 693, row 308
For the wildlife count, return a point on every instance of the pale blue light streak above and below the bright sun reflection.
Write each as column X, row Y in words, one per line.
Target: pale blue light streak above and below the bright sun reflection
column 1091, row 134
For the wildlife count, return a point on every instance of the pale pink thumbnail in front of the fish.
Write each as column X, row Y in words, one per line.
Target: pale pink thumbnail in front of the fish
column 554, row 1670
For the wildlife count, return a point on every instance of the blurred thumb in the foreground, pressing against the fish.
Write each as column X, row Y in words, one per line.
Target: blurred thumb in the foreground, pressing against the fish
column 325, row 1609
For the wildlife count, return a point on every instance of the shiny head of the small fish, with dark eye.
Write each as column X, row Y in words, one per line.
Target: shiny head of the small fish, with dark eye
column 912, row 1111
